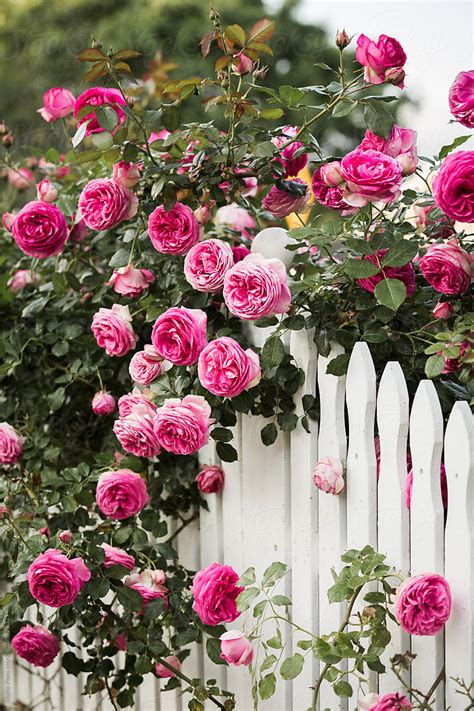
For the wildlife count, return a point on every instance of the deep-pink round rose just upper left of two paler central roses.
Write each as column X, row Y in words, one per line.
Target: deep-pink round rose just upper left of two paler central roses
column 175, row 231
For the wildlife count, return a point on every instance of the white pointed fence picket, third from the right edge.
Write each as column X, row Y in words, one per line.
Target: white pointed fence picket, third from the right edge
column 393, row 517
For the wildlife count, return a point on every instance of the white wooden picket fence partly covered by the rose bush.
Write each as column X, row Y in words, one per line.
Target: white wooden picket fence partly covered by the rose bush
column 269, row 510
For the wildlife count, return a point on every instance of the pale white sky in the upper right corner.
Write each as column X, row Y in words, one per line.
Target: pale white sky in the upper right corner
column 438, row 38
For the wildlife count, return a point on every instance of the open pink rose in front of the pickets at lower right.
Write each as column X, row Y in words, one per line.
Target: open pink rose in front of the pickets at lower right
column 423, row 604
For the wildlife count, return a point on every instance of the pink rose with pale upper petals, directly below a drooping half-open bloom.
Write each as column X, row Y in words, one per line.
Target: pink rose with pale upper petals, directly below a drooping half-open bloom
column 113, row 330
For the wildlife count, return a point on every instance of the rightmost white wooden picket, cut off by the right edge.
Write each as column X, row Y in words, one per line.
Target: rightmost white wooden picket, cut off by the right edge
column 459, row 547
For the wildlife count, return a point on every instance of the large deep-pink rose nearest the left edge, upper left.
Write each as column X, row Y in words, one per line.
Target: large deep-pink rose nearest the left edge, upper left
column 40, row 230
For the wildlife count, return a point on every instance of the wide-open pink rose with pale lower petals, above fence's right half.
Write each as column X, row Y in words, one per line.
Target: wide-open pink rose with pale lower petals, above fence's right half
column 370, row 176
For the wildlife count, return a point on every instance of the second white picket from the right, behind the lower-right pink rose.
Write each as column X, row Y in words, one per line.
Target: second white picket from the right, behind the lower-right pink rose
column 427, row 523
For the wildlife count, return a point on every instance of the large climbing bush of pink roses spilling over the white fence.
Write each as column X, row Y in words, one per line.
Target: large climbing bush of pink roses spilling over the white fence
column 135, row 256
